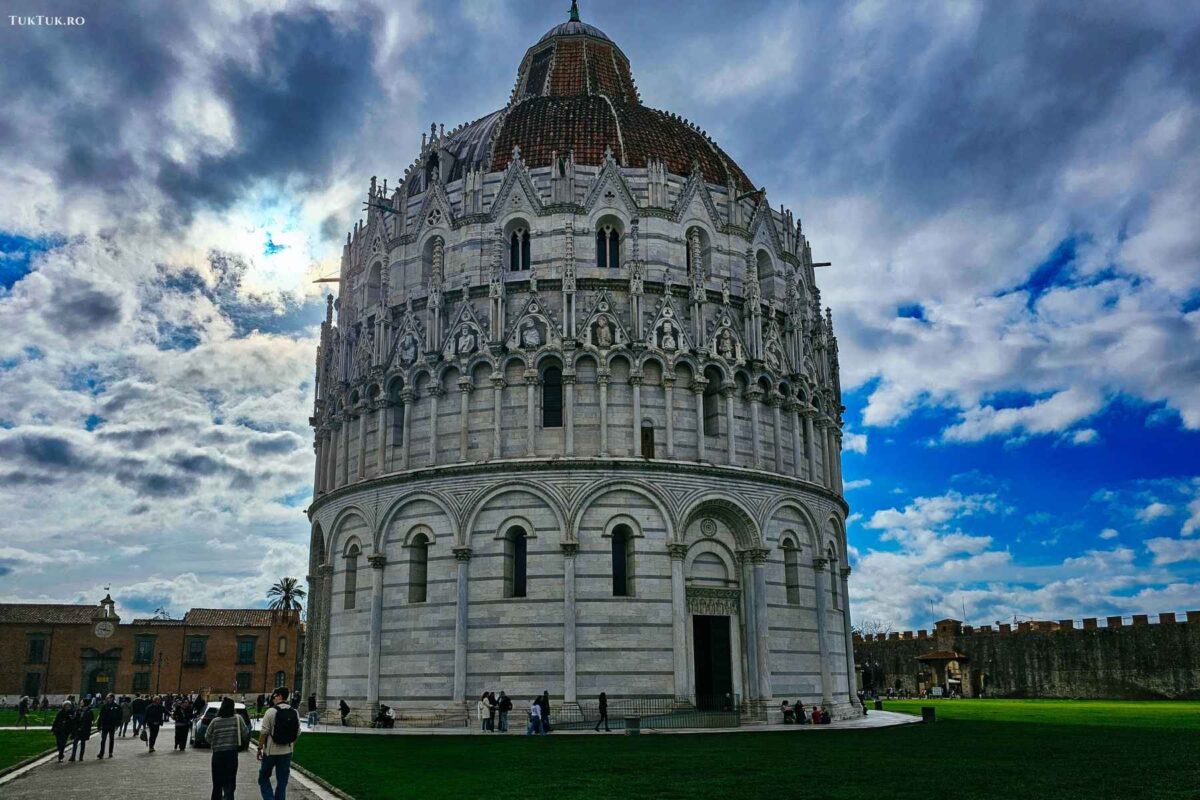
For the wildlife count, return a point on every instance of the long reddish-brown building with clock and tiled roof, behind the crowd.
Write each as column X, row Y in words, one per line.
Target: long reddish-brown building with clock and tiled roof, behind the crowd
column 58, row 651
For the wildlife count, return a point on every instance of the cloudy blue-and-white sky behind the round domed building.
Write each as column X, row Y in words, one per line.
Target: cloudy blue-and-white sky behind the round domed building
column 1009, row 193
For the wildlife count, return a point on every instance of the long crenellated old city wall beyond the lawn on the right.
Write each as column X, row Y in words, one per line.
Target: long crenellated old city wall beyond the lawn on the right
column 1132, row 659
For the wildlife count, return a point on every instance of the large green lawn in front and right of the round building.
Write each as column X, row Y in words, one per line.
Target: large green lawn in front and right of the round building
column 1033, row 750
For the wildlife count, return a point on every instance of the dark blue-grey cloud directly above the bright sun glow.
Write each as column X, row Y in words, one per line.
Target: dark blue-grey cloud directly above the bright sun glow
column 292, row 111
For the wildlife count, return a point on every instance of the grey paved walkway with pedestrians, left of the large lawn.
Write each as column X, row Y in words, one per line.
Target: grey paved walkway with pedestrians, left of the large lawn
column 135, row 774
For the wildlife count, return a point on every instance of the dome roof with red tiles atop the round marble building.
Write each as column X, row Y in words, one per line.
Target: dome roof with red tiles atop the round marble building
column 575, row 93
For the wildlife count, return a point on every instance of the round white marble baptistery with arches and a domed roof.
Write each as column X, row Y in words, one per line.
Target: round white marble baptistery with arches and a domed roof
column 578, row 419
